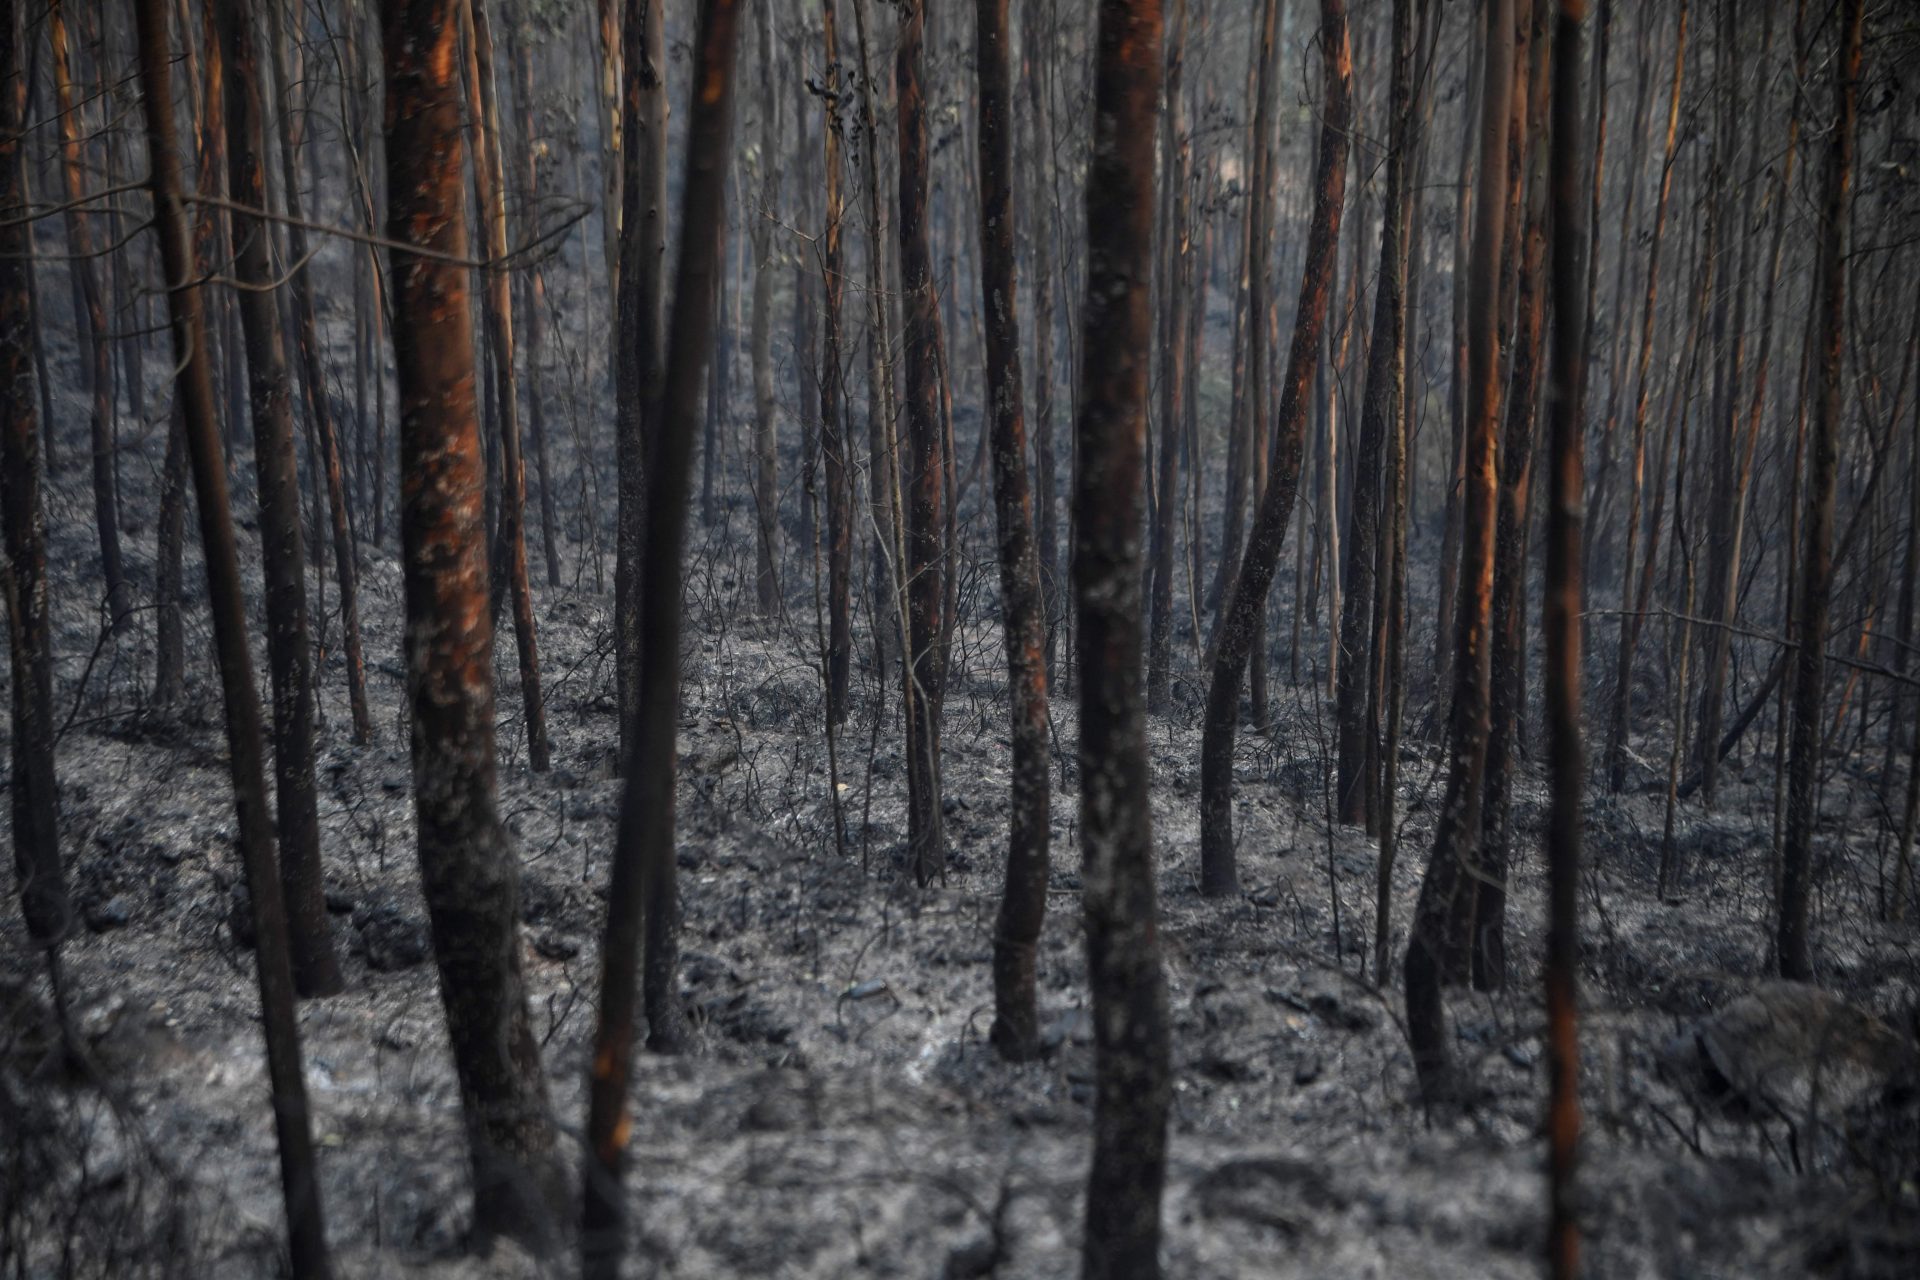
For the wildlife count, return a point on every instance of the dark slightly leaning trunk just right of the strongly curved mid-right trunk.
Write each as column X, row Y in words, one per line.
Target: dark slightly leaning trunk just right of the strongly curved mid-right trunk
column 1380, row 414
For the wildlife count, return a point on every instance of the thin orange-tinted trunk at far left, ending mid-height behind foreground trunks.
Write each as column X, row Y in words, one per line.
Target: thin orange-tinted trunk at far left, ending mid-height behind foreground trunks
column 87, row 287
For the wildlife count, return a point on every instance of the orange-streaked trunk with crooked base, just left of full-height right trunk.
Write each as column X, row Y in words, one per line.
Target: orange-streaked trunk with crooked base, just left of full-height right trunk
column 1437, row 943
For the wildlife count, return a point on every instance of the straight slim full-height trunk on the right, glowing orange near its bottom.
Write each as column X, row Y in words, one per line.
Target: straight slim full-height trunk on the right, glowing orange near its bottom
column 1560, row 621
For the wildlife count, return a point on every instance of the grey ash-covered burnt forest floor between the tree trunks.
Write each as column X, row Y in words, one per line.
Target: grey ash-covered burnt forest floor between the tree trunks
column 842, row 1112
